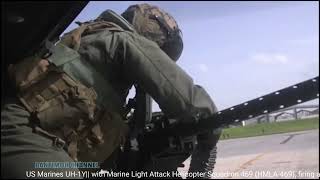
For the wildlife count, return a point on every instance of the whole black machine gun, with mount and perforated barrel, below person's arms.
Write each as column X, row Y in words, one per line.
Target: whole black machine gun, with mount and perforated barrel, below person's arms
column 162, row 138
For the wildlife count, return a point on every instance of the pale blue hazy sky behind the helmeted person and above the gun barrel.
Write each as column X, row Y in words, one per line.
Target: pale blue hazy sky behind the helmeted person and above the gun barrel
column 240, row 50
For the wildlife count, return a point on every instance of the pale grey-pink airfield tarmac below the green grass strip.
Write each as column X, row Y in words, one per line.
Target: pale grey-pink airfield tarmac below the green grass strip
column 284, row 156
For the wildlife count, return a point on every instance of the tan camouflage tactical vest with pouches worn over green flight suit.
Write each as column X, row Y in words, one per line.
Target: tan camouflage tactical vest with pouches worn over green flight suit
column 72, row 100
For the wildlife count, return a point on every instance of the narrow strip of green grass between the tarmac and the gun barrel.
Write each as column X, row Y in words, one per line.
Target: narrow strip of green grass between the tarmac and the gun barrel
column 270, row 128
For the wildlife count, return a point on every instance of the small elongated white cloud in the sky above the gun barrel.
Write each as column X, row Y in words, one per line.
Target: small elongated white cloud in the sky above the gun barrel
column 275, row 58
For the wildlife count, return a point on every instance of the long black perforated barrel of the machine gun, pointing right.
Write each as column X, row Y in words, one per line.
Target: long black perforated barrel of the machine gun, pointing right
column 283, row 98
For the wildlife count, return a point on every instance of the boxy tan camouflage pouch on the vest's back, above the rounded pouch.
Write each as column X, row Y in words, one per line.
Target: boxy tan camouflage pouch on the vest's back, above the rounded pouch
column 61, row 105
